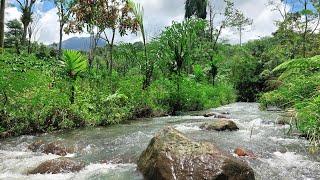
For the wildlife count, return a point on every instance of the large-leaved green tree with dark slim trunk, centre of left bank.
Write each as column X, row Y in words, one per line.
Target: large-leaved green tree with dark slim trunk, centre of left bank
column 177, row 44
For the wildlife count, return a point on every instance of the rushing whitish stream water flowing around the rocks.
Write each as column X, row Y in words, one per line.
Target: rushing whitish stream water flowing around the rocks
column 111, row 153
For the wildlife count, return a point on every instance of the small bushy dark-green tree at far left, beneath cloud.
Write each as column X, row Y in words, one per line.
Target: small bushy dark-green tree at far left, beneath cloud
column 14, row 34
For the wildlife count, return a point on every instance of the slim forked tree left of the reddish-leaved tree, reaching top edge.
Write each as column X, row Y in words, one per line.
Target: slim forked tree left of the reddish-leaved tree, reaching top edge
column 63, row 13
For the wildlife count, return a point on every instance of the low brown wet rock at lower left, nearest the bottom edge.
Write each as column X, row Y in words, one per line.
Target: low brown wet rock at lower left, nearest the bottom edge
column 57, row 166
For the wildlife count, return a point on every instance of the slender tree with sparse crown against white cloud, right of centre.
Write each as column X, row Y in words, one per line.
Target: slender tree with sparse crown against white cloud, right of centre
column 240, row 22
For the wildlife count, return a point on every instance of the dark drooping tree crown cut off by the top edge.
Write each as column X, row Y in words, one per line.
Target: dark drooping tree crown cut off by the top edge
column 196, row 8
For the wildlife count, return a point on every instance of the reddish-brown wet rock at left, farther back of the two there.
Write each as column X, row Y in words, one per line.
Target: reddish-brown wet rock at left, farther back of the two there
column 57, row 148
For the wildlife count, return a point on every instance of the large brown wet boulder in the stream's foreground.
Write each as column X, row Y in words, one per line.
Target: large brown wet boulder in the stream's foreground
column 171, row 155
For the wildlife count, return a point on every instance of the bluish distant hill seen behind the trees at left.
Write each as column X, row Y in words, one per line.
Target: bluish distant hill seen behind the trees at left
column 79, row 43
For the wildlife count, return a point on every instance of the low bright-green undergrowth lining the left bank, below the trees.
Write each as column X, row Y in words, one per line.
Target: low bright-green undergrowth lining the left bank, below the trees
column 35, row 96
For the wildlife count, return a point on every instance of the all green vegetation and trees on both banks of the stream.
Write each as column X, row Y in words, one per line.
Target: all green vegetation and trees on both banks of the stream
column 187, row 67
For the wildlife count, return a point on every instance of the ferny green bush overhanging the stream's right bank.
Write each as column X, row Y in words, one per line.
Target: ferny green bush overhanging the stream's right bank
column 300, row 89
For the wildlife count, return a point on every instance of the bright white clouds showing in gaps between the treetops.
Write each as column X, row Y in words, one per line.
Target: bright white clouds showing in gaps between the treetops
column 161, row 13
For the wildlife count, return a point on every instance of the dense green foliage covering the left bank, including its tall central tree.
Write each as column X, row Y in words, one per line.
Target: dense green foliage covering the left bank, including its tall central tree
column 40, row 93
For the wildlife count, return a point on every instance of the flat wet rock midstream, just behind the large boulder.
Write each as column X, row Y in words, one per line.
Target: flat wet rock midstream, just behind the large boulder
column 220, row 125
